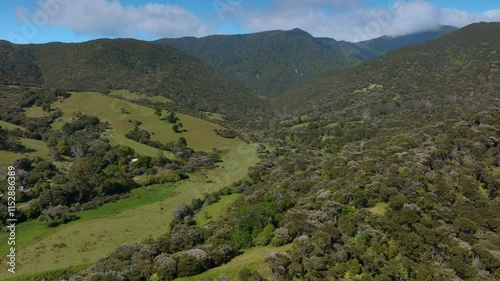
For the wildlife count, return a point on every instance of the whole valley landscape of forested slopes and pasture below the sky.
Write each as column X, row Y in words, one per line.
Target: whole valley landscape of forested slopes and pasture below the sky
column 275, row 155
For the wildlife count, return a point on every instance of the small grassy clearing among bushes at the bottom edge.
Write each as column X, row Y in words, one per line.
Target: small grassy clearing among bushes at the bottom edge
column 252, row 259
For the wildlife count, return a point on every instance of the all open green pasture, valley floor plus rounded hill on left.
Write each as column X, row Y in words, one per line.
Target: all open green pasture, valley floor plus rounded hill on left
column 148, row 211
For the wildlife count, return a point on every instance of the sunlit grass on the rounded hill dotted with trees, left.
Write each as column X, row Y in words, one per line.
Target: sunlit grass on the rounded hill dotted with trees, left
column 200, row 133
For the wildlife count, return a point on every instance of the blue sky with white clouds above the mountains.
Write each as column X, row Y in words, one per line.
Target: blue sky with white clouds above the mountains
column 41, row 21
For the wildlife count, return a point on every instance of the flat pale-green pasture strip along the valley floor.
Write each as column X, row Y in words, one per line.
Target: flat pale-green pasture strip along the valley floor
column 100, row 231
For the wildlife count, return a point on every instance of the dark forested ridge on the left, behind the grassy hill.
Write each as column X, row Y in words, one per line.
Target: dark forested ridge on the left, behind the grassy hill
column 104, row 65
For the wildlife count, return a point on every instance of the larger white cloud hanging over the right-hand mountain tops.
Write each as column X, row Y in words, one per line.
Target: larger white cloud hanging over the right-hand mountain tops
column 355, row 23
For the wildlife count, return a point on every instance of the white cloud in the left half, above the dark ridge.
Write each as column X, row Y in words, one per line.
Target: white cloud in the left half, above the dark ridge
column 112, row 18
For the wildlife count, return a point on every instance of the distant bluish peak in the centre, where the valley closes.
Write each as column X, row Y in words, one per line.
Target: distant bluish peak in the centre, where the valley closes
column 268, row 62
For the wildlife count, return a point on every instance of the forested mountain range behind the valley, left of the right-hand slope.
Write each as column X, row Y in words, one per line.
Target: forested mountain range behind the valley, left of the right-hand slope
column 268, row 63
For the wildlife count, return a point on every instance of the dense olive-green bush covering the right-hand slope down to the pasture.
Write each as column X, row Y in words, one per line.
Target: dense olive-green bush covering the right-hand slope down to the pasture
column 387, row 171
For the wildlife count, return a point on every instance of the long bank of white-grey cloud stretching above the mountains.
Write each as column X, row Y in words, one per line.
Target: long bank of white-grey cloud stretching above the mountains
column 343, row 20
